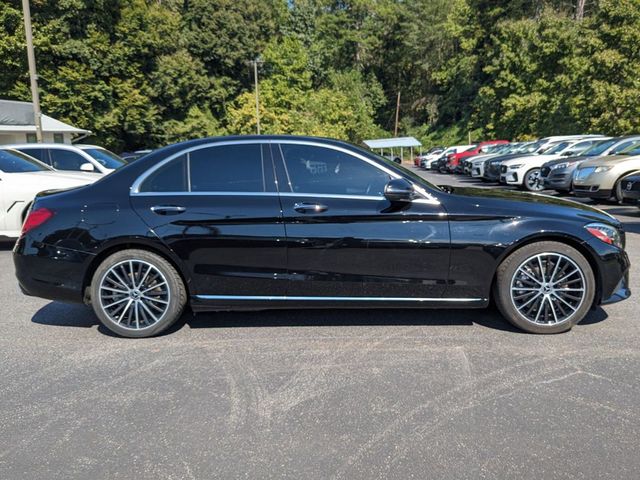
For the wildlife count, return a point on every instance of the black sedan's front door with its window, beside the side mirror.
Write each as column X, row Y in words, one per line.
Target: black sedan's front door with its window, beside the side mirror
column 345, row 239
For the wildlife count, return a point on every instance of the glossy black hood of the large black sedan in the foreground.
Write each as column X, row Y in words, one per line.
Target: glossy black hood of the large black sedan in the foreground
column 520, row 203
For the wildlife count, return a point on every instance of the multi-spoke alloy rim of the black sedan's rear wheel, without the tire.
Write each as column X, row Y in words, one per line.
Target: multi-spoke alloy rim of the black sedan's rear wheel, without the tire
column 134, row 294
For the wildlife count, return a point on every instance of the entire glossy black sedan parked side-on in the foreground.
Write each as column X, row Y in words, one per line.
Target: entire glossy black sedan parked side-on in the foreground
column 268, row 222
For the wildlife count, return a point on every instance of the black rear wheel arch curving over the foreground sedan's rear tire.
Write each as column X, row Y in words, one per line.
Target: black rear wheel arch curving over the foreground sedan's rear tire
column 134, row 244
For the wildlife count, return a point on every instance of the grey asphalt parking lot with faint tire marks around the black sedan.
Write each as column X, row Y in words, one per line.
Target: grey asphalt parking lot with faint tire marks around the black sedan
column 320, row 394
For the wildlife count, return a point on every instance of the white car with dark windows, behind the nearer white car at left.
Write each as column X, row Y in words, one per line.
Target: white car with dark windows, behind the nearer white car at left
column 73, row 158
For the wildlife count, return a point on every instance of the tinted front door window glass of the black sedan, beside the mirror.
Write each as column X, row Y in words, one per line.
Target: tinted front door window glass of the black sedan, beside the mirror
column 320, row 170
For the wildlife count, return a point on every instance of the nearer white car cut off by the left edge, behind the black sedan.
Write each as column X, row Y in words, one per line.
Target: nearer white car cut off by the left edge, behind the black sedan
column 21, row 179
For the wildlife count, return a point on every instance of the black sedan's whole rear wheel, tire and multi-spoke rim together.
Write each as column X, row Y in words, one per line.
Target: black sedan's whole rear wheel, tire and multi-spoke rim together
column 136, row 293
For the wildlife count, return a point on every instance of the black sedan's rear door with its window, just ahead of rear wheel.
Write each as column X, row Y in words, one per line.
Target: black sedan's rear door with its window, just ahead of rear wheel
column 217, row 208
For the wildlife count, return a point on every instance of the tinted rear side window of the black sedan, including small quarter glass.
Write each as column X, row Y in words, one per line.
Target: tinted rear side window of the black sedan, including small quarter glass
column 227, row 168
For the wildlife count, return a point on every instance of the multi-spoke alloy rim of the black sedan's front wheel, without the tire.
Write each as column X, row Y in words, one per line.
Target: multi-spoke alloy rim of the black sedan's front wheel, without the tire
column 548, row 288
